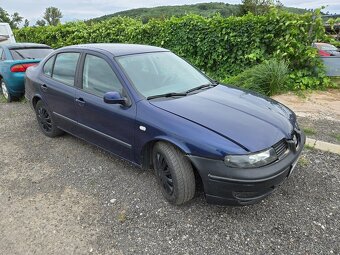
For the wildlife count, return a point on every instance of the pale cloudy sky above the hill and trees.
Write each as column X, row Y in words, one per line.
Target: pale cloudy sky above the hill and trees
column 85, row 9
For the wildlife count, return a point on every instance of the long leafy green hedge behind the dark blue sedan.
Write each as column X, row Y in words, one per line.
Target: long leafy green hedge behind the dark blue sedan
column 222, row 47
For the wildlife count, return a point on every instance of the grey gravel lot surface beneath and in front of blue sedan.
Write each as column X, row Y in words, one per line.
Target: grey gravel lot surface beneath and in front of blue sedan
column 64, row 196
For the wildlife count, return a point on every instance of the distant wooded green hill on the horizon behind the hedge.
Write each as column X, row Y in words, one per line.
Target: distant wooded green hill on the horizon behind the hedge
column 203, row 9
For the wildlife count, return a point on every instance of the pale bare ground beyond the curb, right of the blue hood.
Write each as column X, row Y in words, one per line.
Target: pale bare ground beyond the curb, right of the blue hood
column 321, row 129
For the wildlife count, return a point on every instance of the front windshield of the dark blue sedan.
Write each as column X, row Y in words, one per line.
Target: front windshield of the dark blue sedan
column 160, row 73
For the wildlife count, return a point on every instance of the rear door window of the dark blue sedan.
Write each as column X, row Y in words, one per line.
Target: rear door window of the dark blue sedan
column 65, row 67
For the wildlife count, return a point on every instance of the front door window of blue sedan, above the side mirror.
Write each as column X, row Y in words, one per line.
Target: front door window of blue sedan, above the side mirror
column 98, row 77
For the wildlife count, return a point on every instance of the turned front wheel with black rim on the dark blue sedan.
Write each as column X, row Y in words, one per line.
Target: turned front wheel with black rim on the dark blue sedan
column 174, row 173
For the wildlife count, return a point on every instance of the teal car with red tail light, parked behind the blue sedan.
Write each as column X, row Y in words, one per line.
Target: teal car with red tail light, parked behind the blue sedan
column 15, row 58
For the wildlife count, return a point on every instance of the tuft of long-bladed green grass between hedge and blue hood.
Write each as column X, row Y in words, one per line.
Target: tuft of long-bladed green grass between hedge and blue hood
column 269, row 77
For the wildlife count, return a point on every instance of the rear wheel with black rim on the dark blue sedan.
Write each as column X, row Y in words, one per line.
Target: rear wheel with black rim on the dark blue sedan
column 45, row 120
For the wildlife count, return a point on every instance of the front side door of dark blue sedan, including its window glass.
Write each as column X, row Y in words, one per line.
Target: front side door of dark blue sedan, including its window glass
column 111, row 126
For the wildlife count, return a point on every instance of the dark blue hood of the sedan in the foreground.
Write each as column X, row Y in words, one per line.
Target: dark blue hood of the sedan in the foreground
column 248, row 119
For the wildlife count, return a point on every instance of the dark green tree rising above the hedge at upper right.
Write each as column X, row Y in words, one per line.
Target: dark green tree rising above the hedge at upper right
column 259, row 7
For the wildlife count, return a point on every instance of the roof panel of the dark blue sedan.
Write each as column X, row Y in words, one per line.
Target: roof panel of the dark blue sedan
column 118, row 49
